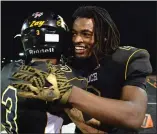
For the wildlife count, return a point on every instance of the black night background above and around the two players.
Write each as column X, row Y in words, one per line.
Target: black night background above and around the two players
column 136, row 21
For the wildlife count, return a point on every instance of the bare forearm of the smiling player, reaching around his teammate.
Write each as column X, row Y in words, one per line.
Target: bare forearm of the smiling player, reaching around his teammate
column 110, row 111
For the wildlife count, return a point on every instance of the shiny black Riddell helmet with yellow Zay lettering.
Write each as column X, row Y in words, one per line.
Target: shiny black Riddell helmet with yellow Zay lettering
column 43, row 35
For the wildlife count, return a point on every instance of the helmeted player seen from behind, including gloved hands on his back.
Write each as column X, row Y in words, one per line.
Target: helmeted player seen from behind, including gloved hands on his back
column 45, row 39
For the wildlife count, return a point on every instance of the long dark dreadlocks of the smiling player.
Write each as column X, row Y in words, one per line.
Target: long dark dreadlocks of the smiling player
column 104, row 28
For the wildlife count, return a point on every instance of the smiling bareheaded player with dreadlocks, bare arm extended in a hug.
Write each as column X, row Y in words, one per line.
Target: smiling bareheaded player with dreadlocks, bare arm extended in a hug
column 116, row 74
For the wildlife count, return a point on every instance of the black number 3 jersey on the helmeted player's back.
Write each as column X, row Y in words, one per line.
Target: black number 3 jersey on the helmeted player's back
column 21, row 115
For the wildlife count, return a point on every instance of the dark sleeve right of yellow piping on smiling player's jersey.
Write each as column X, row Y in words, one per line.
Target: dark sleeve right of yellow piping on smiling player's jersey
column 138, row 67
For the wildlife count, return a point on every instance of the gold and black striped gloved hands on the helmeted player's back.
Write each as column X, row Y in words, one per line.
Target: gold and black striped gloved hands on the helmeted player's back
column 49, row 86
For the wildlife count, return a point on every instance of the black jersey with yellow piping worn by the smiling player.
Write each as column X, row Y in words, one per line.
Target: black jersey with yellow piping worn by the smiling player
column 126, row 66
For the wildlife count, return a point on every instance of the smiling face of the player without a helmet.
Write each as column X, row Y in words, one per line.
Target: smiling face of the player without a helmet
column 83, row 37
